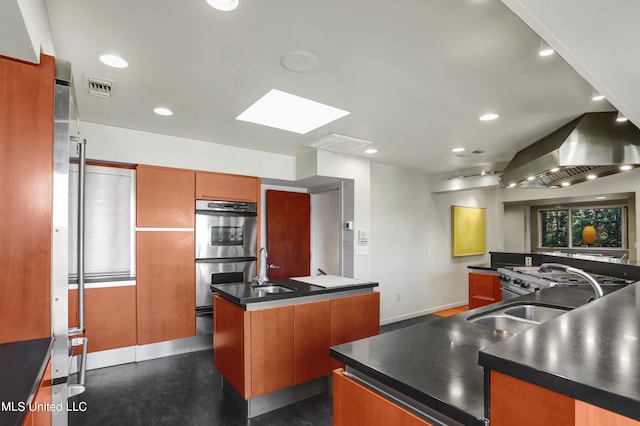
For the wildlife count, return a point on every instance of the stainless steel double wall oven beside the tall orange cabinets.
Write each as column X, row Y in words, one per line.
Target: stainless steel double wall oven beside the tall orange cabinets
column 226, row 249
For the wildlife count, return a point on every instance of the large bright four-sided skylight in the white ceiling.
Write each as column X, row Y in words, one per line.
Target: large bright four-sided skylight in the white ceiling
column 289, row 112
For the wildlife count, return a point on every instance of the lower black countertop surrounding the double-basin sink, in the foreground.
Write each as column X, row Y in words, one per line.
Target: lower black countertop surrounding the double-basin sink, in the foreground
column 436, row 363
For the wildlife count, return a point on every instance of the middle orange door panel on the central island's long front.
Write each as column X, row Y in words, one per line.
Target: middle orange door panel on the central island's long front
column 311, row 338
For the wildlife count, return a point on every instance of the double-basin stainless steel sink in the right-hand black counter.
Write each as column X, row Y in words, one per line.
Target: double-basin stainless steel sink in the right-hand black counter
column 517, row 318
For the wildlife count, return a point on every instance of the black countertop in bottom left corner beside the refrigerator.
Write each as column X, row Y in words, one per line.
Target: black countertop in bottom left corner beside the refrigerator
column 23, row 364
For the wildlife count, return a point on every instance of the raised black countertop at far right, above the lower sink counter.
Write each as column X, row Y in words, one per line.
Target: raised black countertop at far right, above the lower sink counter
column 591, row 353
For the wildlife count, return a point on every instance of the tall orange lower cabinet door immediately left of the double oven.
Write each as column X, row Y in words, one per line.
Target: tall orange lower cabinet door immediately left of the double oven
column 165, row 285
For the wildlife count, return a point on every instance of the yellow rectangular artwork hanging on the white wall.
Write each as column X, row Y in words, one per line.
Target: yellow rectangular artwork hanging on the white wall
column 467, row 231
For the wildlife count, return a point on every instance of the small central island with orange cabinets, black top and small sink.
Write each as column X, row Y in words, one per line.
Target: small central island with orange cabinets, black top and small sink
column 271, row 341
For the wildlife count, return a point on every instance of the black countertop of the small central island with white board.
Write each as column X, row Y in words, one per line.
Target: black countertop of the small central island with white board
column 244, row 293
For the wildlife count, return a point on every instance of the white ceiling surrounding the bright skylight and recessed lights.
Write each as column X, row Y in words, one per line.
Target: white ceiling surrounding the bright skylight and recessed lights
column 415, row 74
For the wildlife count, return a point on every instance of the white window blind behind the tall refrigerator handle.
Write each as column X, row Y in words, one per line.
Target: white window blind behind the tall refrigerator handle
column 109, row 222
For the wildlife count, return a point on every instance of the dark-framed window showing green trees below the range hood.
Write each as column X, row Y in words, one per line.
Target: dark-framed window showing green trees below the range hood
column 563, row 228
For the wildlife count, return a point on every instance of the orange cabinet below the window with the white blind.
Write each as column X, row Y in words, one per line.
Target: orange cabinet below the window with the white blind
column 110, row 316
